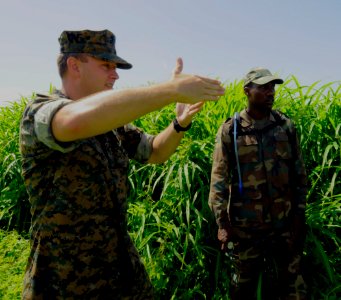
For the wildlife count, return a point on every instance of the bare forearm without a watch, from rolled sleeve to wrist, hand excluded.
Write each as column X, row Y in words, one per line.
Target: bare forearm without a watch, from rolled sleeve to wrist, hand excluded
column 102, row 112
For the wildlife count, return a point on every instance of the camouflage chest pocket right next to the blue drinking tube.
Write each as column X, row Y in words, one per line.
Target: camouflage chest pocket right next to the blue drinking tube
column 247, row 149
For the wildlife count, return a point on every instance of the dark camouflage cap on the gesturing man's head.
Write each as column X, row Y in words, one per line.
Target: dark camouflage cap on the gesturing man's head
column 99, row 44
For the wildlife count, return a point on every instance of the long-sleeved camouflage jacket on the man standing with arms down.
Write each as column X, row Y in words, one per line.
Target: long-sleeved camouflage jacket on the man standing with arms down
column 272, row 173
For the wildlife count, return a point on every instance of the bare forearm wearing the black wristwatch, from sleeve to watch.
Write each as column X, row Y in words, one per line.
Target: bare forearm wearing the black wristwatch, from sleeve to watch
column 164, row 145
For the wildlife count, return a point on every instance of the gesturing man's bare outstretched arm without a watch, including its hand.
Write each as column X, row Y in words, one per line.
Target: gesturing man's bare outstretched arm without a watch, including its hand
column 104, row 111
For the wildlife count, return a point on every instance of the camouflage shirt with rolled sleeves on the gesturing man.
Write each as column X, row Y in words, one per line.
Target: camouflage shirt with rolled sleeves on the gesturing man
column 80, row 247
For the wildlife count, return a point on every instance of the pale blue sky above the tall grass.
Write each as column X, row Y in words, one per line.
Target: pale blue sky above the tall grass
column 221, row 39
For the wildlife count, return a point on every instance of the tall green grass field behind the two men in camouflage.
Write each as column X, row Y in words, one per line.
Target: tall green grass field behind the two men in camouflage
column 169, row 218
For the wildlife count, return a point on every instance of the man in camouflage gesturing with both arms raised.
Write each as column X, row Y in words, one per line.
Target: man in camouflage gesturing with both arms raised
column 76, row 145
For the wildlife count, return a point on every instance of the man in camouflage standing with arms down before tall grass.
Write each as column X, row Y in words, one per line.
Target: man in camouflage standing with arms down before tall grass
column 258, row 196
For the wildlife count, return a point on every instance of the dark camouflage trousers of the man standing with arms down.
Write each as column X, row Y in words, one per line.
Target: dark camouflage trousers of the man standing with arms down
column 266, row 267
